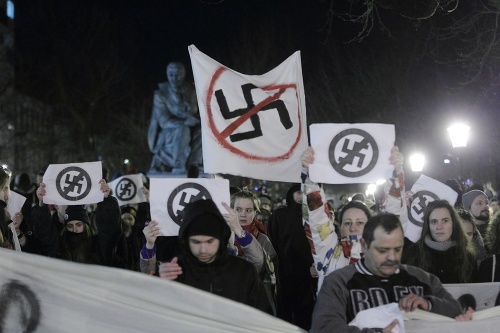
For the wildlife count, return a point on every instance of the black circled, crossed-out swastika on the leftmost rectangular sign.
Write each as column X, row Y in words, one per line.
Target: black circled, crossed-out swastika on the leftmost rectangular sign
column 73, row 183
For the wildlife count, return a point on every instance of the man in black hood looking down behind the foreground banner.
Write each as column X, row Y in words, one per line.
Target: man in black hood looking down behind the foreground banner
column 199, row 257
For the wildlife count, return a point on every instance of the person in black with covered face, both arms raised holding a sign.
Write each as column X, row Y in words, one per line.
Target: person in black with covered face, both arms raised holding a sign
column 76, row 239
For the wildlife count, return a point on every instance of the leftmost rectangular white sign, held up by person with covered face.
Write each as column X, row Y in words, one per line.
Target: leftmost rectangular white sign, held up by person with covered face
column 73, row 184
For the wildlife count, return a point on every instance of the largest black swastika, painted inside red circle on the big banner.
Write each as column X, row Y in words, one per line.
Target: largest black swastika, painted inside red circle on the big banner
column 279, row 105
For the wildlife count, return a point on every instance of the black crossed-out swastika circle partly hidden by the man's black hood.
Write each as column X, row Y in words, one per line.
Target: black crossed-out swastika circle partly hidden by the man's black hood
column 181, row 196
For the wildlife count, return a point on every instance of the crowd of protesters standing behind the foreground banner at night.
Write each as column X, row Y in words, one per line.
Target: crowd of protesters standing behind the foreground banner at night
column 305, row 262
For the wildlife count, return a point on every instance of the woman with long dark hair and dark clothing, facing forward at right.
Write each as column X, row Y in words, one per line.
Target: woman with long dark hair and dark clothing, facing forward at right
column 443, row 249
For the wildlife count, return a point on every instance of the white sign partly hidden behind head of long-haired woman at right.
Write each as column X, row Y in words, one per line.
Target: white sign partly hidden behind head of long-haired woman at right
column 425, row 190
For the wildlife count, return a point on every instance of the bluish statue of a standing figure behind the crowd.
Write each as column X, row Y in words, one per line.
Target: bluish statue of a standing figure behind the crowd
column 174, row 135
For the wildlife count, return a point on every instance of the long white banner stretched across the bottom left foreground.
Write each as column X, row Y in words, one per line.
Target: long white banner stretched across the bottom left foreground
column 41, row 294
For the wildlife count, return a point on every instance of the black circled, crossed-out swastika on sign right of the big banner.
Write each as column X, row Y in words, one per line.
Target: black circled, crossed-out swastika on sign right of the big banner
column 355, row 156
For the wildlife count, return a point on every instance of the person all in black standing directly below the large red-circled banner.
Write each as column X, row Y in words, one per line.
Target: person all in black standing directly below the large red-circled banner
column 296, row 285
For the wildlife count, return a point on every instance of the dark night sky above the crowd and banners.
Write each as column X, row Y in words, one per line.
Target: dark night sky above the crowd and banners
column 395, row 74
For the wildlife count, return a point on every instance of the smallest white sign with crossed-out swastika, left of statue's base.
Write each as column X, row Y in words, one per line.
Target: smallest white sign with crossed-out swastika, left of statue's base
column 128, row 189
